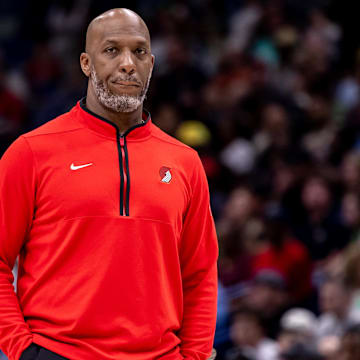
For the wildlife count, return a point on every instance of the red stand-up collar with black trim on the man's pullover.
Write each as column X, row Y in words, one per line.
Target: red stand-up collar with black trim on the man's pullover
column 108, row 128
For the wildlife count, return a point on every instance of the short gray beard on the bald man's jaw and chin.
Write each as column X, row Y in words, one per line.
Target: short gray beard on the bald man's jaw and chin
column 117, row 103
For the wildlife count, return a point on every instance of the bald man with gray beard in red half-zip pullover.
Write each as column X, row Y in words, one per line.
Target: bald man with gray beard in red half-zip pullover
column 110, row 219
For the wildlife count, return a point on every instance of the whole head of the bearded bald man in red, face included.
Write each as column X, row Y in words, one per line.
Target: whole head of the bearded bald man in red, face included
column 118, row 63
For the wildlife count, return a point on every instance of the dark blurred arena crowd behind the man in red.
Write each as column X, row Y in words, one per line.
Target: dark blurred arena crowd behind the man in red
column 268, row 93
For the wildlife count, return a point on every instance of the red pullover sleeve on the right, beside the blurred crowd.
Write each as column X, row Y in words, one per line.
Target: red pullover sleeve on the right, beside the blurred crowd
column 198, row 259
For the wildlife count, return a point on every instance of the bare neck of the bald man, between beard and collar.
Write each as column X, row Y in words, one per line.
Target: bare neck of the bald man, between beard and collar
column 123, row 121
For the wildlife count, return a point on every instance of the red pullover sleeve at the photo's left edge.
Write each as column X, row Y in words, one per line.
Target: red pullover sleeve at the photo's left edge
column 17, row 192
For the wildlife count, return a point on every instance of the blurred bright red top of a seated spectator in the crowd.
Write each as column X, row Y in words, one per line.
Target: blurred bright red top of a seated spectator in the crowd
column 293, row 262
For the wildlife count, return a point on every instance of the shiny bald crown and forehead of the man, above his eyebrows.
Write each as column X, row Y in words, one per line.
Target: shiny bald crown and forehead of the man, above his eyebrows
column 126, row 20
